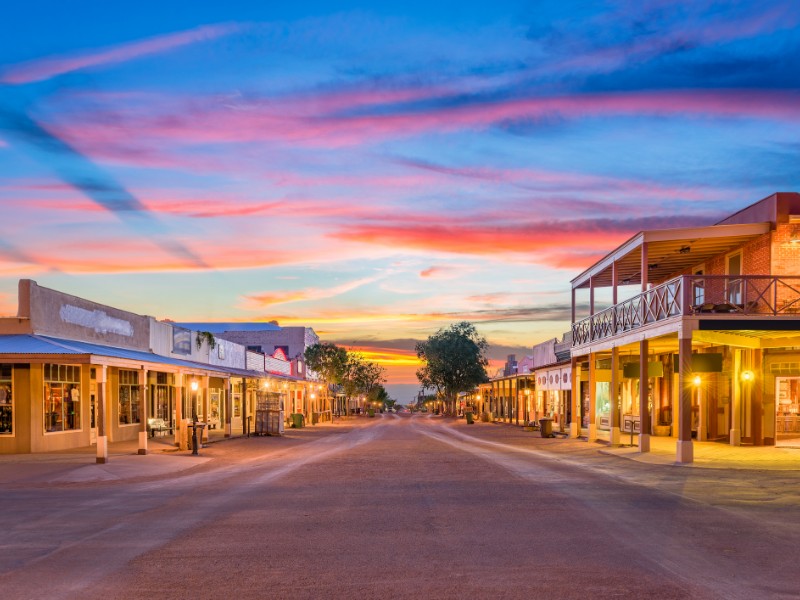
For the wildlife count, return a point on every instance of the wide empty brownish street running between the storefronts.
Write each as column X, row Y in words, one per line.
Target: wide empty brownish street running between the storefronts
column 399, row 507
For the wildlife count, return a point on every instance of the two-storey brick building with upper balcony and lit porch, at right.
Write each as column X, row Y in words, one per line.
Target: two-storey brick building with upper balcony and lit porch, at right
column 699, row 338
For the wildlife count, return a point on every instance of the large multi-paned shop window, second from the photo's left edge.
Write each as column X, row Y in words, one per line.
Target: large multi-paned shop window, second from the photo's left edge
column 62, row 397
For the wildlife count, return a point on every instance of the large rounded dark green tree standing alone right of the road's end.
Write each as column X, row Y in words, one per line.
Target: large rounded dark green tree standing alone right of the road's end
column 455, row 361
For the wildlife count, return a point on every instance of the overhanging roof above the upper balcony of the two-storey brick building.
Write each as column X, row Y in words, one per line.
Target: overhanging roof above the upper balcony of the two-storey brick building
column 669, row 251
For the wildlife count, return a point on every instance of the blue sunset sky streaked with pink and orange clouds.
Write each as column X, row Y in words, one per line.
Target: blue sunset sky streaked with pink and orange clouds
column 378, row 172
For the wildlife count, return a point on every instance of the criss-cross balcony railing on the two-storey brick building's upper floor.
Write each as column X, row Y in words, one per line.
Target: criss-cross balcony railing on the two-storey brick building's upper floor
column 690, row 295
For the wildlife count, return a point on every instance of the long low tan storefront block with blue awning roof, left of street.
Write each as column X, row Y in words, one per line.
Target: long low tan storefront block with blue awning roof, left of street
column 75, row 373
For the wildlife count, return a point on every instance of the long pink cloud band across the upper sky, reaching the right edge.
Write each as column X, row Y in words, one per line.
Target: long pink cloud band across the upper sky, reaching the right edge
column 214, row 121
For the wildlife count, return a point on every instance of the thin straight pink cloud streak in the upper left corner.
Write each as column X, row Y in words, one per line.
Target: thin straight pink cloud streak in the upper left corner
column 45, row 68
